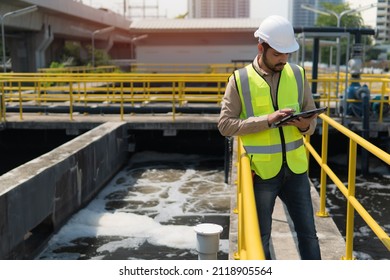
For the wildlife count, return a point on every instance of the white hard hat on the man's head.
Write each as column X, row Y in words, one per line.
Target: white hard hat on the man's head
column 277, row 32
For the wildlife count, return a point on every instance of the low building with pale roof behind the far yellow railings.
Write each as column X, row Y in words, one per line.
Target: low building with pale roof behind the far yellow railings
column 199, row 41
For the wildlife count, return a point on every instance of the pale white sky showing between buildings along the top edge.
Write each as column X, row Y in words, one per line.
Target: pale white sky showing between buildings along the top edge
column 259, row 9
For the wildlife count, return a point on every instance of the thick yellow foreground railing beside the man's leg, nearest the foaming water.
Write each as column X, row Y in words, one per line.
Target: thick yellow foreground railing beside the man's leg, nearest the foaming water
column 249, row 245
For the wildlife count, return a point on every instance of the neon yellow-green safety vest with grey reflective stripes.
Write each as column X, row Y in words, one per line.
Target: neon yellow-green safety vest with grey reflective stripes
column 269, row 149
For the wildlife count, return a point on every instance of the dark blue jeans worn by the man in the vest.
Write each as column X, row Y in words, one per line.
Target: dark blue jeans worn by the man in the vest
column 294, row 191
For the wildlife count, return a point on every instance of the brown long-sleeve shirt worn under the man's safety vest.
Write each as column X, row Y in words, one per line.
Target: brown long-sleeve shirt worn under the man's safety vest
column 229, row 122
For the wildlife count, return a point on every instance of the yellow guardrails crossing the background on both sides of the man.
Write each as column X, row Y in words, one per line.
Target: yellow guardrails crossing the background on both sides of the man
column 141, row 88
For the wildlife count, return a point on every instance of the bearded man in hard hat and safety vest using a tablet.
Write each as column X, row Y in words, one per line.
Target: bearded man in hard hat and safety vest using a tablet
column 256, row 97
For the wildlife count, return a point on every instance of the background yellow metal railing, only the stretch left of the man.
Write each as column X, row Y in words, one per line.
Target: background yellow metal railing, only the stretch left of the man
column 109, row 88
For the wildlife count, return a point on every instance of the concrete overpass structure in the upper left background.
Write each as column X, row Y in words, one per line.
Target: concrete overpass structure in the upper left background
column 33, row 39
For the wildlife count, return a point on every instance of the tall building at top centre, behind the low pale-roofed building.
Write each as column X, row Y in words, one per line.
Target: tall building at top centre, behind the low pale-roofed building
column 218, row 8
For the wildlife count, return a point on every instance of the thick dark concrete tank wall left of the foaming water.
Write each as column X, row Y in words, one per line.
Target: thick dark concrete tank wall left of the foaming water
column 52, row 187
